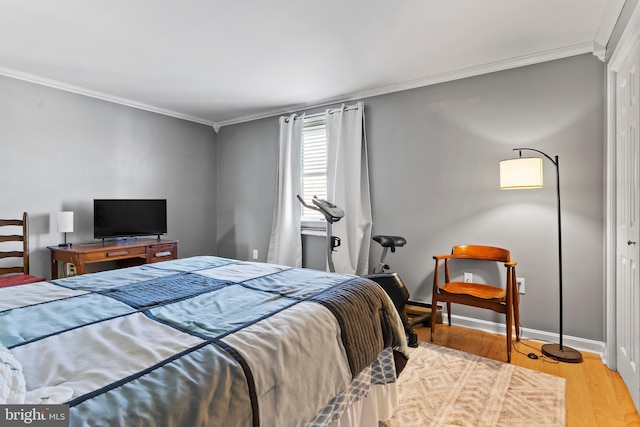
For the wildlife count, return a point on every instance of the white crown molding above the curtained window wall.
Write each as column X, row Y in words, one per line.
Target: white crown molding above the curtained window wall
column 462, row 73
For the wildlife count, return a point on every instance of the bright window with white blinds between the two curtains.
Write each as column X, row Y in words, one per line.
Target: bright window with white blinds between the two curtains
column 313, row 168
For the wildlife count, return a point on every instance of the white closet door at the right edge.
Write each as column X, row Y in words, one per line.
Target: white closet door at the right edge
column 627, row 235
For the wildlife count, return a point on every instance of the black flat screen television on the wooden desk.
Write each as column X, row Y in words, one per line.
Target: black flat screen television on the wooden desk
column 114, row 218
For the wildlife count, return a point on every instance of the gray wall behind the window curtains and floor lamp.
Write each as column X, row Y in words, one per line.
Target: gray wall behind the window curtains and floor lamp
column 434, row 154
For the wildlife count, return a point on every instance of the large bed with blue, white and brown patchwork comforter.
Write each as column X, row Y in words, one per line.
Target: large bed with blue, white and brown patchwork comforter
column 204, row 341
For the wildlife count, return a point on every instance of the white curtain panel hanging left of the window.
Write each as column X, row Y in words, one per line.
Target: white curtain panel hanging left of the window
column 285, row 245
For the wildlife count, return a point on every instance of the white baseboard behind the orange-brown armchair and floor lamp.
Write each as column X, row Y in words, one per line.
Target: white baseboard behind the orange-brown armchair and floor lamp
column 582, row 344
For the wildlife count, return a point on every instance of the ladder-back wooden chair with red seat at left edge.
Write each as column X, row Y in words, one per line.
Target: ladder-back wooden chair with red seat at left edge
column 16, row 272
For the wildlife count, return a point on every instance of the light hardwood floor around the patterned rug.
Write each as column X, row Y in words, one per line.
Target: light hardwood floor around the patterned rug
column 596, row 396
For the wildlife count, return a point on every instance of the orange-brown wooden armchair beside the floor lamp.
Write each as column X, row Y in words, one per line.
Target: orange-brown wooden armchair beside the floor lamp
column 502, row 300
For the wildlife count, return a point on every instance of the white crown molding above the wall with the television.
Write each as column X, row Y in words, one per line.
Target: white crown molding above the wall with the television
column 7, row 72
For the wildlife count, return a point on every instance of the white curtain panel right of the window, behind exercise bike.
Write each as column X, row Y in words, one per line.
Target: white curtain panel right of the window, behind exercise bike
column 348, row 187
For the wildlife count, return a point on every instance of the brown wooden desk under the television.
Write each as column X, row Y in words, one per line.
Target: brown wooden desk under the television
column 145, row 251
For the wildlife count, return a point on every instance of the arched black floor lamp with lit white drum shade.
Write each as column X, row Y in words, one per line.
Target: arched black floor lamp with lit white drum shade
column 526, row 172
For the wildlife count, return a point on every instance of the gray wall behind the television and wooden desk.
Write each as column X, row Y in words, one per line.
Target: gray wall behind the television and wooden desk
column 60, row 150
